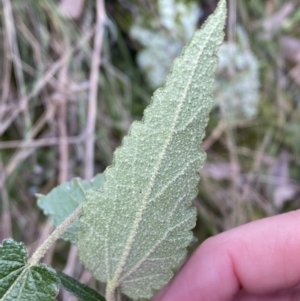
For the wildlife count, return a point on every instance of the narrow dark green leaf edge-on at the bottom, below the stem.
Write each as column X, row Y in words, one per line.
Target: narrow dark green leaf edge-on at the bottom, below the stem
column 78, row 289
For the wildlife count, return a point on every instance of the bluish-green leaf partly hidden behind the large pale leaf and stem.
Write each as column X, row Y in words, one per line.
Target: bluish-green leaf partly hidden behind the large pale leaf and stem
column 64, row 199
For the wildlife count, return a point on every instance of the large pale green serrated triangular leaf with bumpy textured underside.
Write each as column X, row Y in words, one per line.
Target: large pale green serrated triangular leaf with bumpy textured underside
column 135, row 230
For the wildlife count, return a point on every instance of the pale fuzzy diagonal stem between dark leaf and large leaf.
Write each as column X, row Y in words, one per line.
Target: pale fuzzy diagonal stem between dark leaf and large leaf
column 56, row 234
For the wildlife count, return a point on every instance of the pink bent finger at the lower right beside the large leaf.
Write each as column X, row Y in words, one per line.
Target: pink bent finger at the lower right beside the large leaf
column 259, row 261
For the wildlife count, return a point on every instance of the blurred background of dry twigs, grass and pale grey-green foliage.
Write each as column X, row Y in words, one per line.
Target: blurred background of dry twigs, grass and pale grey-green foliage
column 72, row 70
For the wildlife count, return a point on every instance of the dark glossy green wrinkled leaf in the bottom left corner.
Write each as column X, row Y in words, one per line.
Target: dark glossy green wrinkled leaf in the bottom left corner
column 21, row 281
